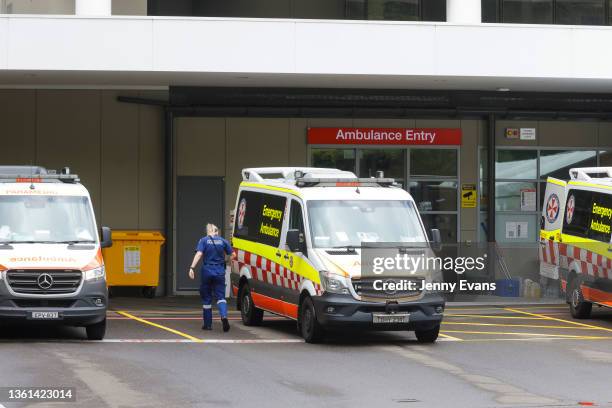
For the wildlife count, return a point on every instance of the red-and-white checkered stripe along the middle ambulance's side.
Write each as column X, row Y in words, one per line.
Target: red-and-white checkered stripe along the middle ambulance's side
column 265, row 270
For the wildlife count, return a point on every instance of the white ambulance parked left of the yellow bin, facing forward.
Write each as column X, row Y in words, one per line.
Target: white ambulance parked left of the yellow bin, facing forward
column 51, row 266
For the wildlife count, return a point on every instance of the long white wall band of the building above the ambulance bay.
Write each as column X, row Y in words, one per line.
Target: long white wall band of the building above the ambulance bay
column 208, row 45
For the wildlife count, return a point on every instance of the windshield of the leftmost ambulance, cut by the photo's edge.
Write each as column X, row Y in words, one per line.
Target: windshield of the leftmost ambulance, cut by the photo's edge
column 45, row 219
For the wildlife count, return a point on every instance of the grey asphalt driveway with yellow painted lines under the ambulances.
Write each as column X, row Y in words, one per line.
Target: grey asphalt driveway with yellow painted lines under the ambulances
column 155, row 355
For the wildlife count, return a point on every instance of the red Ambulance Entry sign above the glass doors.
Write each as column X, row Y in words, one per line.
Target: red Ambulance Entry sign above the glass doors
column 384, row 136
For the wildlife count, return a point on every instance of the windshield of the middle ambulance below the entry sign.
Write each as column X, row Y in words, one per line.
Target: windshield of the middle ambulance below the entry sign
column 350, row 223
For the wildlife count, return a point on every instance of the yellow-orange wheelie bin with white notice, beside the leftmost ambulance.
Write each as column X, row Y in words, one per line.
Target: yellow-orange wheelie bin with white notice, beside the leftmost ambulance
column 133, row 260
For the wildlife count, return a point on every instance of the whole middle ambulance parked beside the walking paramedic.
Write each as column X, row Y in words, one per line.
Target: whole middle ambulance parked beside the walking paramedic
column 299, row 234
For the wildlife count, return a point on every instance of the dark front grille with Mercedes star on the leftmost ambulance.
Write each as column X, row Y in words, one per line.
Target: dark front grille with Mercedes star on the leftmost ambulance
column 29, row 281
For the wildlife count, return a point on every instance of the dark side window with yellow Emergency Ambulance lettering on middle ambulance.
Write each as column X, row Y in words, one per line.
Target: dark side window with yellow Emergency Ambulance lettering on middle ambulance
column 259, row 217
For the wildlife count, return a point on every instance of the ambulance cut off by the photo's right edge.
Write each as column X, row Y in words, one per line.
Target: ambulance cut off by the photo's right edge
column 575, row 247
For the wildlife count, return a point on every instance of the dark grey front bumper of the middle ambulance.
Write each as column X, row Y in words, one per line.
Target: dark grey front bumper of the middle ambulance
column 343, row 311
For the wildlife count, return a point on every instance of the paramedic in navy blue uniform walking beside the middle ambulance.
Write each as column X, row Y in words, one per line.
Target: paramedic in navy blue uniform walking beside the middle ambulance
column 212, row 249
